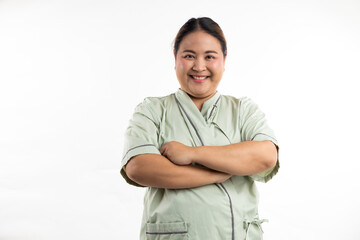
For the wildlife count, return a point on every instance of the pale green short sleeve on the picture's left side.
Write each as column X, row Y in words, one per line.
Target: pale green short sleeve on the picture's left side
column 141, row 136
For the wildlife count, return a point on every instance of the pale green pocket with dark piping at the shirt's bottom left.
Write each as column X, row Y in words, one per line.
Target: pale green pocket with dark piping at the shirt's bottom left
column 167, row 231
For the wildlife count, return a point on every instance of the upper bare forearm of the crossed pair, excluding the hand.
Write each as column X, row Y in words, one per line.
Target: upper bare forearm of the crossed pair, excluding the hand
column 244, row 158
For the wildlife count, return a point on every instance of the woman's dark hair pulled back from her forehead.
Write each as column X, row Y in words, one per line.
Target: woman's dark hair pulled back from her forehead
column 196, row 24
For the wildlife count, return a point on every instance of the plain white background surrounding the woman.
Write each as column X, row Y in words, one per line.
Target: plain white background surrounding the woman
column 72, row 72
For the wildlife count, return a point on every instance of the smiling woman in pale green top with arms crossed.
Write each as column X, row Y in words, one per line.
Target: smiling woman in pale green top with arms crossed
column 197, row 151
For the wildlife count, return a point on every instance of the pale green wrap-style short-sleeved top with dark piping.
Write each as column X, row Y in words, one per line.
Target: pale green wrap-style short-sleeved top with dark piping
column 216, row 211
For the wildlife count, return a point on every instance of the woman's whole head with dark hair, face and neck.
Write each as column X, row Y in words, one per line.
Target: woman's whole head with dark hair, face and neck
column 200, row 58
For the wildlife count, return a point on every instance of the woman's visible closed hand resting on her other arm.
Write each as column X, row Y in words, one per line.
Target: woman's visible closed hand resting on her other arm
column 177, row 153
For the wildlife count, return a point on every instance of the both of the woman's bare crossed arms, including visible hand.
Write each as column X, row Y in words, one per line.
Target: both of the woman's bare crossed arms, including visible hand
column 173, row 168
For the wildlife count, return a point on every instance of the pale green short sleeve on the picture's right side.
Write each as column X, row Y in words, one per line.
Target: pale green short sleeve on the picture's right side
column 254, row 127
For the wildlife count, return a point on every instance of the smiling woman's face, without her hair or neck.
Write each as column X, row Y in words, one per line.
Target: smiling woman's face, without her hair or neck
column 199, row 64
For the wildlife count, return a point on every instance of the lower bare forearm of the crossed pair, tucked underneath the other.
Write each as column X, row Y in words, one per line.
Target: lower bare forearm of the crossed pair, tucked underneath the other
column 157, row 171
